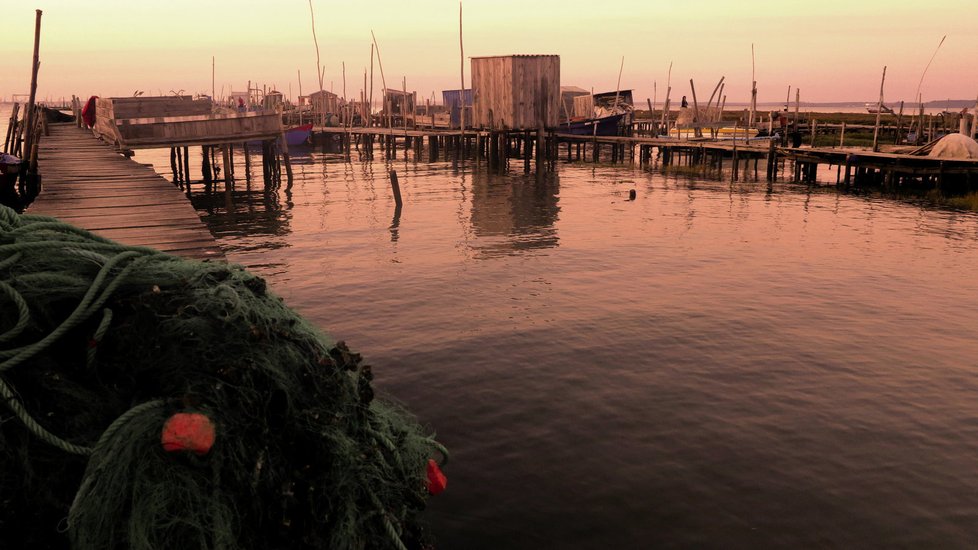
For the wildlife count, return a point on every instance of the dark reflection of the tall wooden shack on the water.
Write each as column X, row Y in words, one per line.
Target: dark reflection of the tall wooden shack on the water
column 511, row 215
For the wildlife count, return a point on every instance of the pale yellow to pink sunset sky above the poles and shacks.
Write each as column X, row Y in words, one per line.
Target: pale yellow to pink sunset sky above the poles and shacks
column 833, row 50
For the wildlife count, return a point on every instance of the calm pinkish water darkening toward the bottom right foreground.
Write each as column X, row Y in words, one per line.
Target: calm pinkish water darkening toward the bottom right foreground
column 709, row 366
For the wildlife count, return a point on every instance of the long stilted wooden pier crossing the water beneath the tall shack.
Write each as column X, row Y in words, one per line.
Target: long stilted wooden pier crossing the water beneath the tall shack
column 760, row 156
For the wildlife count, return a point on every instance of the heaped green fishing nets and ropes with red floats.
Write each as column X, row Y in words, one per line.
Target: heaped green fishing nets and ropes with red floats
column 153, row 402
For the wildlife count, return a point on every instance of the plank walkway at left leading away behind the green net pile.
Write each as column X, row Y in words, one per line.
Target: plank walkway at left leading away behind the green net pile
column 87, row 183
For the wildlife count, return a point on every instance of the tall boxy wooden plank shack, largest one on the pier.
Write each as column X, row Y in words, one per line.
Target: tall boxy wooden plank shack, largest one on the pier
column 516, row 91
